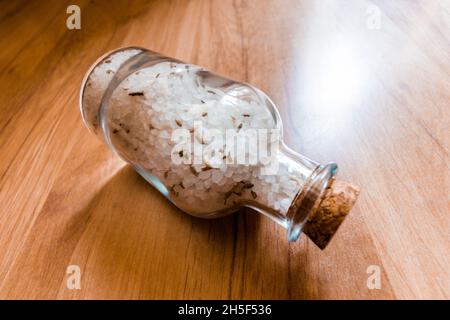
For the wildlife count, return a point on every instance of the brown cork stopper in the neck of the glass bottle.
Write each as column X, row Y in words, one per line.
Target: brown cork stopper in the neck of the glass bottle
column 339, row 198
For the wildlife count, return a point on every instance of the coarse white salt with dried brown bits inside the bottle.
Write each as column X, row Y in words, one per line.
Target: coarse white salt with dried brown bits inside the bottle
column 148, row 106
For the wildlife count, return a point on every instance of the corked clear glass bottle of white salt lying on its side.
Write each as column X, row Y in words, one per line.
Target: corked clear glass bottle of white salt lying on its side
column 209, row 144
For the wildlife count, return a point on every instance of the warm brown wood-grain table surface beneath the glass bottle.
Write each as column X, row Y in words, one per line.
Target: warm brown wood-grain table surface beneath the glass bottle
column 362, row 83
